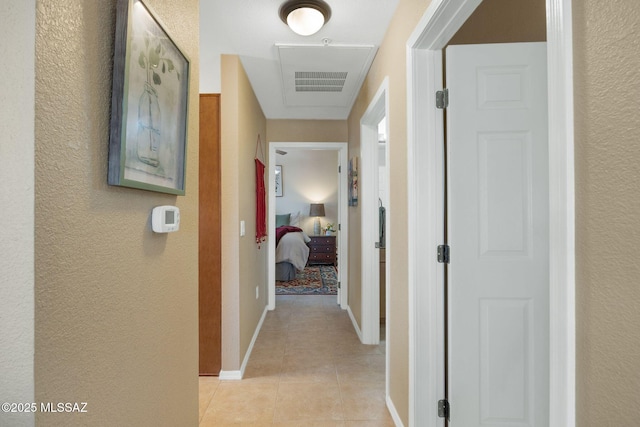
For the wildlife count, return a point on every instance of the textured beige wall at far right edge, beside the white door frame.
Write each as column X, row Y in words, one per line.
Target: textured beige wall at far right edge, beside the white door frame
column 607, row 116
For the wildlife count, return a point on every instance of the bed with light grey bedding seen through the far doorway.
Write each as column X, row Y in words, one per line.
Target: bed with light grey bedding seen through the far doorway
column 292, row 251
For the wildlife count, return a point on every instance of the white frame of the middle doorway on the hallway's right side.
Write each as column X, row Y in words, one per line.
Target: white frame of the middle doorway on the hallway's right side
column 368, row 199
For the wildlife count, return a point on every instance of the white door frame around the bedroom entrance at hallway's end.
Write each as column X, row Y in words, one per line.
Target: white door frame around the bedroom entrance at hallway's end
column 343, row 218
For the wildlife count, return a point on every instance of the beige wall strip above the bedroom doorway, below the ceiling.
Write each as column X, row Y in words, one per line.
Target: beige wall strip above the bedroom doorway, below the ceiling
column 307, row 130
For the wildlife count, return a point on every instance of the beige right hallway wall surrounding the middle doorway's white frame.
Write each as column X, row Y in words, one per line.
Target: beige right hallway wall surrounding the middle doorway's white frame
column 391, row 61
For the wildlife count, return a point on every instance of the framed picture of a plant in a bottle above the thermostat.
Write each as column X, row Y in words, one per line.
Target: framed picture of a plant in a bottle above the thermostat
column 149, row 104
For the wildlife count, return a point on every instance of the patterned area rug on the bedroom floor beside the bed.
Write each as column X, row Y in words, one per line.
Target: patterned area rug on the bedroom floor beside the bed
column 313, row 280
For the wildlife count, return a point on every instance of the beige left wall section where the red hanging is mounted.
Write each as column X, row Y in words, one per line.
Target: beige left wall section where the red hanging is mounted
column 242, row 121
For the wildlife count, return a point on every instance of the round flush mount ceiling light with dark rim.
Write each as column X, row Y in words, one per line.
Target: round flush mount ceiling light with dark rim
column 305, row 17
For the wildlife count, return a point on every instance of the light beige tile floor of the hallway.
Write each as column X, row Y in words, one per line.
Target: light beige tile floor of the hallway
column 307, row 369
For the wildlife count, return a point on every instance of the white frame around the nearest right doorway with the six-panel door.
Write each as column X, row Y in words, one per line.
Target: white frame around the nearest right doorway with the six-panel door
column 425, row 123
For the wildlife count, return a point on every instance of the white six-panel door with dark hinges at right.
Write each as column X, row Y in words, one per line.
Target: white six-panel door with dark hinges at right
column 499, row 235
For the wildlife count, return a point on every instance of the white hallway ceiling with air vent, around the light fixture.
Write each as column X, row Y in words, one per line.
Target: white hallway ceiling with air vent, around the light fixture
column 271, row 53
